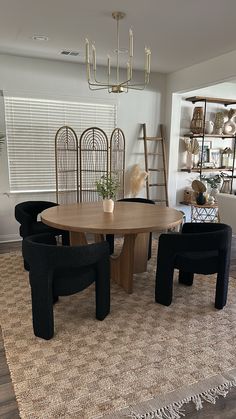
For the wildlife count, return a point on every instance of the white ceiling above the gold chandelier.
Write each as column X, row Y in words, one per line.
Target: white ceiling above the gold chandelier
column 180, row 33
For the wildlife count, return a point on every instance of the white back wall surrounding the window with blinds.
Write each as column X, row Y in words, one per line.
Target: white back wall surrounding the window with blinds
column 39, row 78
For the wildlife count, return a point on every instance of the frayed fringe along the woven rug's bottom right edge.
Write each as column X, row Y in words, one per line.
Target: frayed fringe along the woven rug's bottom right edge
column 175, row 410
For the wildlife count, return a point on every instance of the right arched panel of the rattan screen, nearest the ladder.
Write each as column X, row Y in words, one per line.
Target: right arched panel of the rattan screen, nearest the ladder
column 117, row 158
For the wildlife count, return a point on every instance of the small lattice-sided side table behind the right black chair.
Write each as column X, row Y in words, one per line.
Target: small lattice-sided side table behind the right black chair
column 204, row 213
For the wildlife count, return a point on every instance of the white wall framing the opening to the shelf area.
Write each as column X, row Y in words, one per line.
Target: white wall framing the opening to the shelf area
column 206, row 76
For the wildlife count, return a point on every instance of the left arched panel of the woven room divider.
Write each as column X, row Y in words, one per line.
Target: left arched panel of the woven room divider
column 66, row 159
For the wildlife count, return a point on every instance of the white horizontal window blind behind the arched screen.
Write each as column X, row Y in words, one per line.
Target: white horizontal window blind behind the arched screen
column 31, row 126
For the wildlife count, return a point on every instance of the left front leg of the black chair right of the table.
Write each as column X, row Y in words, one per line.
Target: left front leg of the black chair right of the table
column 164, row 284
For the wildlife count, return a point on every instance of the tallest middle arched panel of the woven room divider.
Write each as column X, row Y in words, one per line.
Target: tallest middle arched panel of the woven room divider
column 93, row 161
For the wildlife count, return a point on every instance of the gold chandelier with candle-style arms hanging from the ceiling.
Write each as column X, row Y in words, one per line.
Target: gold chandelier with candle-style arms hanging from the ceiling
column 116, row 86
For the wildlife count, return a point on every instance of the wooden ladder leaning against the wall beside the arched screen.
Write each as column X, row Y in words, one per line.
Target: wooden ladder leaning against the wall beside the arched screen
column 160, row 154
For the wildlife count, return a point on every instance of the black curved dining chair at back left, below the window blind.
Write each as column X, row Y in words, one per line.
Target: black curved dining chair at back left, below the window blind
column 26, row 213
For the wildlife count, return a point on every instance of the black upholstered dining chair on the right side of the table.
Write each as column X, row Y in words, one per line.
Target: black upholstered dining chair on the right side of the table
column 201, row 248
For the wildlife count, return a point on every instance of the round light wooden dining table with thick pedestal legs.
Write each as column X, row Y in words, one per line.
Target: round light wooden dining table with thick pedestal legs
column 132, row 220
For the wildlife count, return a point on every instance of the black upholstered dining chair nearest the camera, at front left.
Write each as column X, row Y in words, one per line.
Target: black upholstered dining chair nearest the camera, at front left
column 64, row 270
